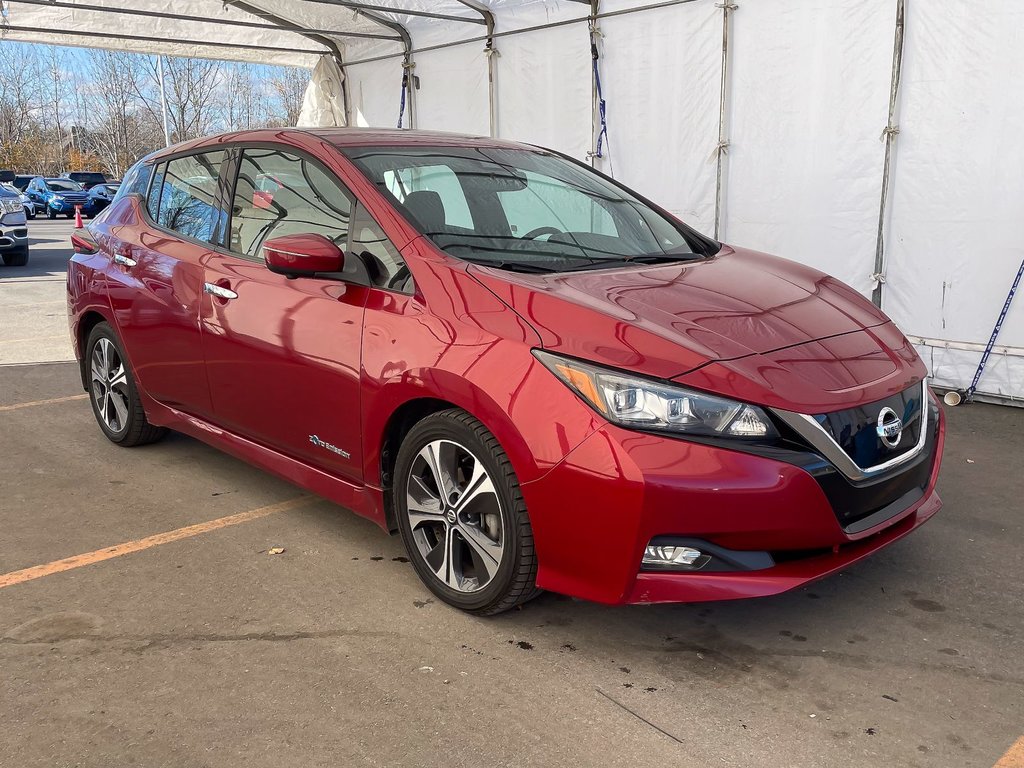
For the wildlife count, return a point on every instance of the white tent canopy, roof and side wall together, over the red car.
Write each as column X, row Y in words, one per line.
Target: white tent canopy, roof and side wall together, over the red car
column 767, row 121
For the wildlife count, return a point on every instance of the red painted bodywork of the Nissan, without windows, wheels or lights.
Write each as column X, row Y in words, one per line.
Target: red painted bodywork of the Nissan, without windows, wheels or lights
column 255, row 375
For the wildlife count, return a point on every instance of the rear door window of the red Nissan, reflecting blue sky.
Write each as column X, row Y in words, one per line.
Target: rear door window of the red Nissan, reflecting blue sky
column 188, row 197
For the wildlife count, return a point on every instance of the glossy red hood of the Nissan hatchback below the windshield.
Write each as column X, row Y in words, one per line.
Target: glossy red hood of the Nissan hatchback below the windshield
column 669, row 321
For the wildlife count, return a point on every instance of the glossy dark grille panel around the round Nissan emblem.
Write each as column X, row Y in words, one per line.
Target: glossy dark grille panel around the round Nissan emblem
column 856, row 430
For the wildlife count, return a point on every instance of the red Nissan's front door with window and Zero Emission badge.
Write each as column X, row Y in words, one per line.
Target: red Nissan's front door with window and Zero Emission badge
column 283, row 356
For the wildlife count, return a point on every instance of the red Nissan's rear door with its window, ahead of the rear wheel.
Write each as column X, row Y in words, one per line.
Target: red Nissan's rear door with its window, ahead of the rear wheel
column 157, row 277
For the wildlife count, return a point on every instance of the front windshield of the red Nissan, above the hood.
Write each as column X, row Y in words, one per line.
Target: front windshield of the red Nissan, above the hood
column 525, row 210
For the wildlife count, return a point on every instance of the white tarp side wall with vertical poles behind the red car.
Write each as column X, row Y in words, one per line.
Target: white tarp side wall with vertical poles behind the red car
column 807, row 98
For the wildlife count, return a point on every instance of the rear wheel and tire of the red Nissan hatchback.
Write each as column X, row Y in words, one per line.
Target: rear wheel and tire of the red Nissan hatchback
column 113, row 393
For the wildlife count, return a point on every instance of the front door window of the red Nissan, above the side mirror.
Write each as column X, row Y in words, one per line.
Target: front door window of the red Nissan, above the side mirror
column 282, row 194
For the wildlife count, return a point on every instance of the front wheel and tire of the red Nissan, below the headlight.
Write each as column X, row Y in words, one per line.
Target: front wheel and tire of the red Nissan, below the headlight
column 462, row 518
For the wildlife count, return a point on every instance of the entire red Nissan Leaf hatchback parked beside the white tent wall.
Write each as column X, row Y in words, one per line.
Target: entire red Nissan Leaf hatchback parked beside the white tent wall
column 540, row 379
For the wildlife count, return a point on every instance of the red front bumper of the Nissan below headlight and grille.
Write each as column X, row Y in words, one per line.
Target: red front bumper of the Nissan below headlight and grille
column 594, row 515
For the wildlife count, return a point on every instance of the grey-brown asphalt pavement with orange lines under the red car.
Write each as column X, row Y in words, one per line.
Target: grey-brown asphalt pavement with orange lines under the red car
column 178, row 639
